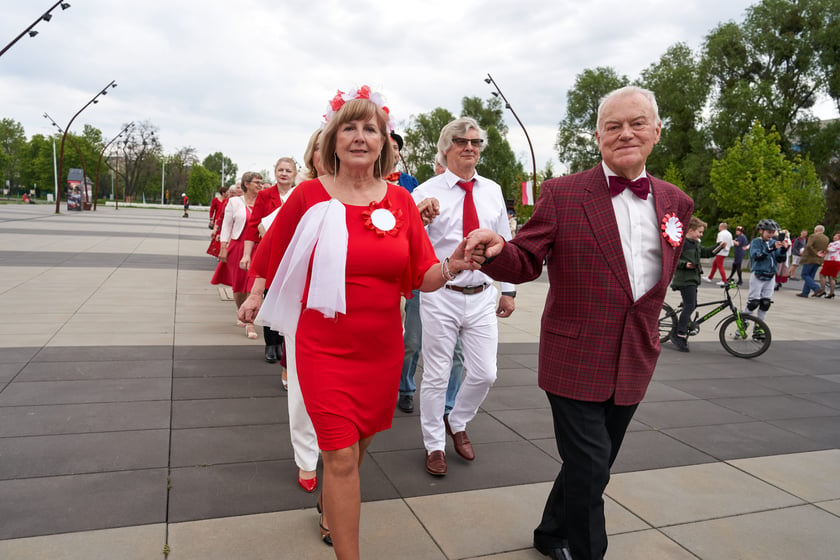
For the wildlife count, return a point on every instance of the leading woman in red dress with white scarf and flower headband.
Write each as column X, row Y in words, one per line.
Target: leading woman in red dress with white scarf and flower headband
column 342, row 300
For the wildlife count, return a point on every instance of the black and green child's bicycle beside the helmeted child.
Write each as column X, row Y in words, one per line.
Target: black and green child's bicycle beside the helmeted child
column 734, row 330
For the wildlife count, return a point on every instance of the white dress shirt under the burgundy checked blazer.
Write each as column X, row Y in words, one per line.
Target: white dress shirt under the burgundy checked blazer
column 640, row 236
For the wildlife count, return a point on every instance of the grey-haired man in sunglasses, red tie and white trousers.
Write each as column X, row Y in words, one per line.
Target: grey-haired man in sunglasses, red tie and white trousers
column 466, row 306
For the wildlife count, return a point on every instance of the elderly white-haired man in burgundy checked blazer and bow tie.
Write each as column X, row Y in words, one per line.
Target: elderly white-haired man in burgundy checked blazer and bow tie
column 618, row 229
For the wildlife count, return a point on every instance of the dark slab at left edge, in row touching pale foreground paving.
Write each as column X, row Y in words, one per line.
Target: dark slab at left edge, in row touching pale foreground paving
column 61, row 504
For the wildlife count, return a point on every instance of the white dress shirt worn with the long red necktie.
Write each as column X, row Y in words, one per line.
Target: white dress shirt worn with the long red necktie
column 446, row 231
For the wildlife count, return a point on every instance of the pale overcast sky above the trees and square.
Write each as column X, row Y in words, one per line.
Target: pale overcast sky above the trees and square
column 251, row 78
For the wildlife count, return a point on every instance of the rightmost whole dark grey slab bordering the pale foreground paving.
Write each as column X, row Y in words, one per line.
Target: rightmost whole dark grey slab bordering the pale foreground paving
column 751, row 439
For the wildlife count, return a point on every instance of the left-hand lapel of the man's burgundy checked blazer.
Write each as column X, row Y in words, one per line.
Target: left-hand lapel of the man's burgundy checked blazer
column 597, row 205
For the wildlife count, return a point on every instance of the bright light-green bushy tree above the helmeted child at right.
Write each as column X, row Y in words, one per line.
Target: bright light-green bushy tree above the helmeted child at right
column 756, row 180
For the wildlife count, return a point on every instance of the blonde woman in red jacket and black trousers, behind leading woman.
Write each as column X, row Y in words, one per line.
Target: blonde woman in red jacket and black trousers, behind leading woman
column 267, row 202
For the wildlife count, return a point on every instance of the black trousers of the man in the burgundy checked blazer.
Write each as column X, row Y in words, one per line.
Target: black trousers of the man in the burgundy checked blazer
column 589, row 435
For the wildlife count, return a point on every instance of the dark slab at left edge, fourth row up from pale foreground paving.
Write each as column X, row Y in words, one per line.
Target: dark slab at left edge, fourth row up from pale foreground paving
column 68, row 392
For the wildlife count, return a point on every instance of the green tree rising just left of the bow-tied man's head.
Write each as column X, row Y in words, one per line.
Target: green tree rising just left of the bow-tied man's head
column 575, row 143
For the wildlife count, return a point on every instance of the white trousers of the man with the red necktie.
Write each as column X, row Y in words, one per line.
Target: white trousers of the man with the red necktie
column 447, row 315
